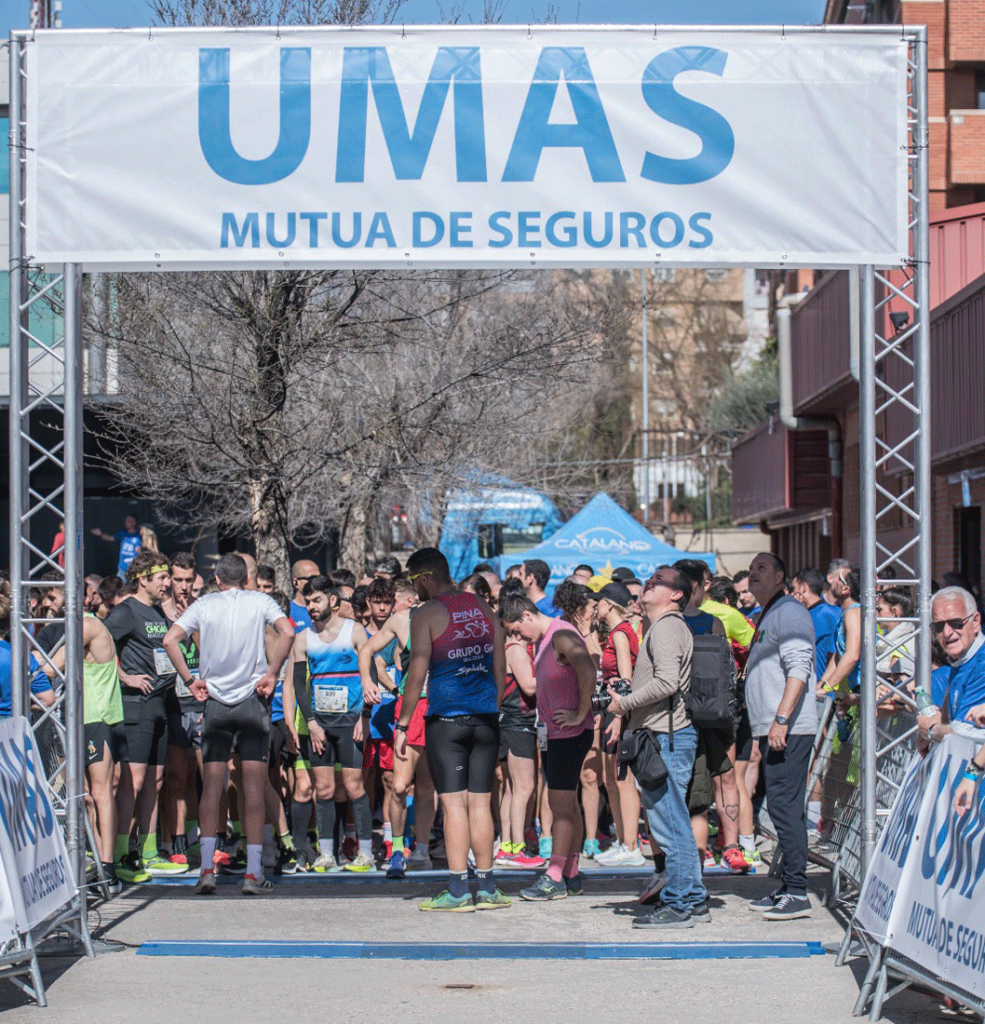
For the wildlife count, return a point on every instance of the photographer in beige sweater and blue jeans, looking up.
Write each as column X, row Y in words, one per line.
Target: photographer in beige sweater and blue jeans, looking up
column 661, row 679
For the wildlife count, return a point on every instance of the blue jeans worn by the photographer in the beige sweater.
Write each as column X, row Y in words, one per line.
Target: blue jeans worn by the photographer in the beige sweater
column 671, row 824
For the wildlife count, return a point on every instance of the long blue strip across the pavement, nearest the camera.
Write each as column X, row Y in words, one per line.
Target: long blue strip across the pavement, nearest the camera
column 489, row 951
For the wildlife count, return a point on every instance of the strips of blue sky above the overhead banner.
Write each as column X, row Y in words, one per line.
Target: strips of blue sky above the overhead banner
column 134, row 14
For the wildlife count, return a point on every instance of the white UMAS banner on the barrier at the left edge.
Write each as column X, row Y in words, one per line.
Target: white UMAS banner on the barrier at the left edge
column 35, row 862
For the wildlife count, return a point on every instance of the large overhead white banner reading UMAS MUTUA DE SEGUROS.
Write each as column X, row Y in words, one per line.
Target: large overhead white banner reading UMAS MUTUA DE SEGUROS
column 480, row 147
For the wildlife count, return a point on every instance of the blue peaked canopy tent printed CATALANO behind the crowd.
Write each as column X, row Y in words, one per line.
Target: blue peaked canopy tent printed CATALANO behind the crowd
column 606, row 537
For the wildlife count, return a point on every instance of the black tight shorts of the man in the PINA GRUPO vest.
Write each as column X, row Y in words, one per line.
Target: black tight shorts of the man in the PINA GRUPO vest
column 462, row 752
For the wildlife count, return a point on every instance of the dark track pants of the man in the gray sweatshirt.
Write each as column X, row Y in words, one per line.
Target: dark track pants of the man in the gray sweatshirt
column 785, row 774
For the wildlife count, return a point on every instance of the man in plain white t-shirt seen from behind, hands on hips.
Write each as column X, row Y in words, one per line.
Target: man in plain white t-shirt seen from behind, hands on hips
column 236, row 680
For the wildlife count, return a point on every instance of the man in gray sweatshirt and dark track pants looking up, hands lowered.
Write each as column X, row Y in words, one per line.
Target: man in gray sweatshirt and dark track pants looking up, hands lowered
column 780, row 696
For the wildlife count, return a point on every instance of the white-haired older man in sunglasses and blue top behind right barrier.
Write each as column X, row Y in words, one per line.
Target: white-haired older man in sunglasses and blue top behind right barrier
column 957, row 624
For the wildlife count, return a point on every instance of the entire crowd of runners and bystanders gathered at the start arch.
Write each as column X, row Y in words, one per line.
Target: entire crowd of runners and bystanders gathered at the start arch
column 238, row 723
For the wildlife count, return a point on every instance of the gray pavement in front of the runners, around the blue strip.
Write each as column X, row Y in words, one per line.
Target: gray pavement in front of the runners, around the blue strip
column 130, row 989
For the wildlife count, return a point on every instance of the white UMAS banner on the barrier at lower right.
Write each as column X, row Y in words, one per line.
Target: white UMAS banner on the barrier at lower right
column 923, row 895
